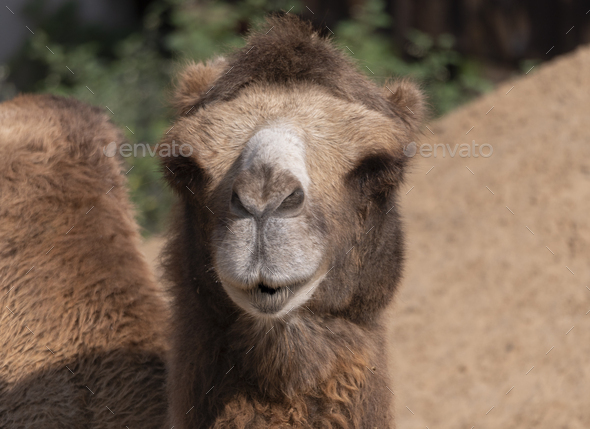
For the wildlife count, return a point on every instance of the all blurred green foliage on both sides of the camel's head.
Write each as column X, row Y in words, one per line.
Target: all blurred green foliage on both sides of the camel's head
column 131, row 72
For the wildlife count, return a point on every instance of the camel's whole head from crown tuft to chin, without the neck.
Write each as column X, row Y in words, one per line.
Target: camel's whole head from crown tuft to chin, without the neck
column 295, row 160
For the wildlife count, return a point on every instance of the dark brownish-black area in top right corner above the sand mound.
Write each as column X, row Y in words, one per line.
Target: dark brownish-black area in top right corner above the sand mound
column 500, row 31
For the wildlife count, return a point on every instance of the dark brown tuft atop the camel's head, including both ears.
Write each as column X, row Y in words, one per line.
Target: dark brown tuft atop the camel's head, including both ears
column 285, row 51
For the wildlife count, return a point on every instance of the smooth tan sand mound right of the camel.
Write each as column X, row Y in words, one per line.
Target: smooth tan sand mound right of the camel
column 485, row 299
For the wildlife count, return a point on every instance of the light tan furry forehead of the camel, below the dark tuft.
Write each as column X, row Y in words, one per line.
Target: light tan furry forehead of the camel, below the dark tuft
column 327, row 133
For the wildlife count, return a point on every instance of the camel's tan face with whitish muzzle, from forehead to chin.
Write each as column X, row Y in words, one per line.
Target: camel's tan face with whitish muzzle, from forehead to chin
column 281, row 179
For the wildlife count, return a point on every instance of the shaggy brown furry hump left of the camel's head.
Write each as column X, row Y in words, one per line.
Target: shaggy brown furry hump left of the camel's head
column 80, row 317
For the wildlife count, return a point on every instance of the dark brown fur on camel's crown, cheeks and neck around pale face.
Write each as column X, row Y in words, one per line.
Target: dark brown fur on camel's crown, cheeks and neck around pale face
column 325, row 366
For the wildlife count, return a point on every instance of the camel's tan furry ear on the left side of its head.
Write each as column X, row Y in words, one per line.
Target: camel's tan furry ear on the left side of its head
column 194, row 81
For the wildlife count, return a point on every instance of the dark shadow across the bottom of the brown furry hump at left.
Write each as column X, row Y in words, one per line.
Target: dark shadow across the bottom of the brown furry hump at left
column 82, row 389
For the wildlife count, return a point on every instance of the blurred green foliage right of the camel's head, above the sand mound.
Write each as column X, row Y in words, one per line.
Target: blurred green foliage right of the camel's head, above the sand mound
column 448, row 78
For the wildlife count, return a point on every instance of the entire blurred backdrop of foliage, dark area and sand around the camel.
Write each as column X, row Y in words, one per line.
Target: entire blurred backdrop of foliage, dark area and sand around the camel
column 491, row 328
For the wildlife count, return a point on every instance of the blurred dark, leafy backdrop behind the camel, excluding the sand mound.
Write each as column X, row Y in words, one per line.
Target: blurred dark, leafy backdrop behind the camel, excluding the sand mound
column 124, row 54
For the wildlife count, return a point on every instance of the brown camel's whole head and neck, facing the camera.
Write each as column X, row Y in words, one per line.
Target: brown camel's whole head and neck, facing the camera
column 286, row 246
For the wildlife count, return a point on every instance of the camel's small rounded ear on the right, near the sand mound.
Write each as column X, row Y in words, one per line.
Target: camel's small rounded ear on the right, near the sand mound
column 409, row 102
